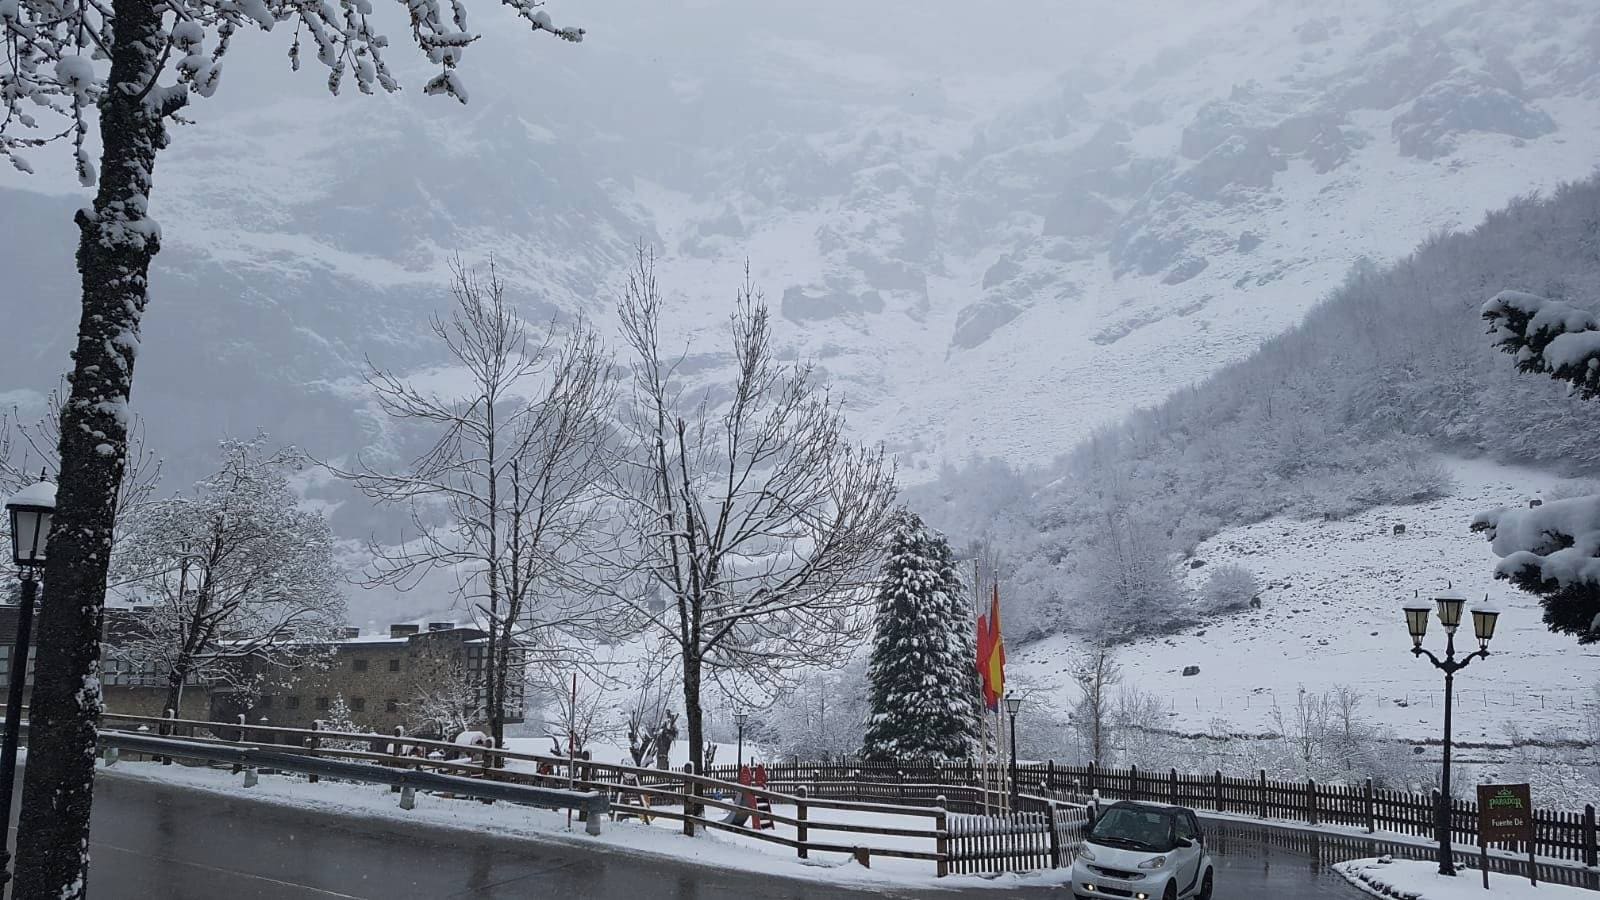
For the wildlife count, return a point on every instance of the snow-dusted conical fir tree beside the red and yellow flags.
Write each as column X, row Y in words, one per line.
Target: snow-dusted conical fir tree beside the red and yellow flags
column 924, row 672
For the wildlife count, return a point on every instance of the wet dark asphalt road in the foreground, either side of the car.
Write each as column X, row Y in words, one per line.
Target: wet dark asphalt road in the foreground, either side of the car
column 156, row 842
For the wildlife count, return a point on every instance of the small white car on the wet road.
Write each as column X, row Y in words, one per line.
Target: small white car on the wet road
column 1143, row 853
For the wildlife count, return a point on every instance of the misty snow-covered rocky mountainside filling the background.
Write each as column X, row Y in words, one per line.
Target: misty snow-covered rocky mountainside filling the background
column 996, row 228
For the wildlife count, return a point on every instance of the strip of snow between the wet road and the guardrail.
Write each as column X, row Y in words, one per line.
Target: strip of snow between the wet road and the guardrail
column 551, row 827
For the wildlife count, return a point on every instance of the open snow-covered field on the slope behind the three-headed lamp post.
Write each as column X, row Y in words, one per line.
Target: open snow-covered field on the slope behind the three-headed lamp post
column 1332, row 595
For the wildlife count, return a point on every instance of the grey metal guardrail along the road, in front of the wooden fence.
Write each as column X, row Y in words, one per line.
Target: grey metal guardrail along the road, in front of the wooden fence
column 594, row 805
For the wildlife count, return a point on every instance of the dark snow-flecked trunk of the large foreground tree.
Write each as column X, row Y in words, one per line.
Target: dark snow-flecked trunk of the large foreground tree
column 116, row 247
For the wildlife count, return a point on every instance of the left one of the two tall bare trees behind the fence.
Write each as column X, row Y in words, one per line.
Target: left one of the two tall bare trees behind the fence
column 500, row 499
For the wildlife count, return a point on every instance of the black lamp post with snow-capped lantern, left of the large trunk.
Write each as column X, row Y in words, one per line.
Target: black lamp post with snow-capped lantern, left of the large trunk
column 31, row 512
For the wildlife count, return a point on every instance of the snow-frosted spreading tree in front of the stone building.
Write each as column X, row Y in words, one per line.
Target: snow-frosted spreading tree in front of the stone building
column 242, row 581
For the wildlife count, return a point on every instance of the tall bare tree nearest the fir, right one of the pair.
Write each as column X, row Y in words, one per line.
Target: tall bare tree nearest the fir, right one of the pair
column 748, row 508
